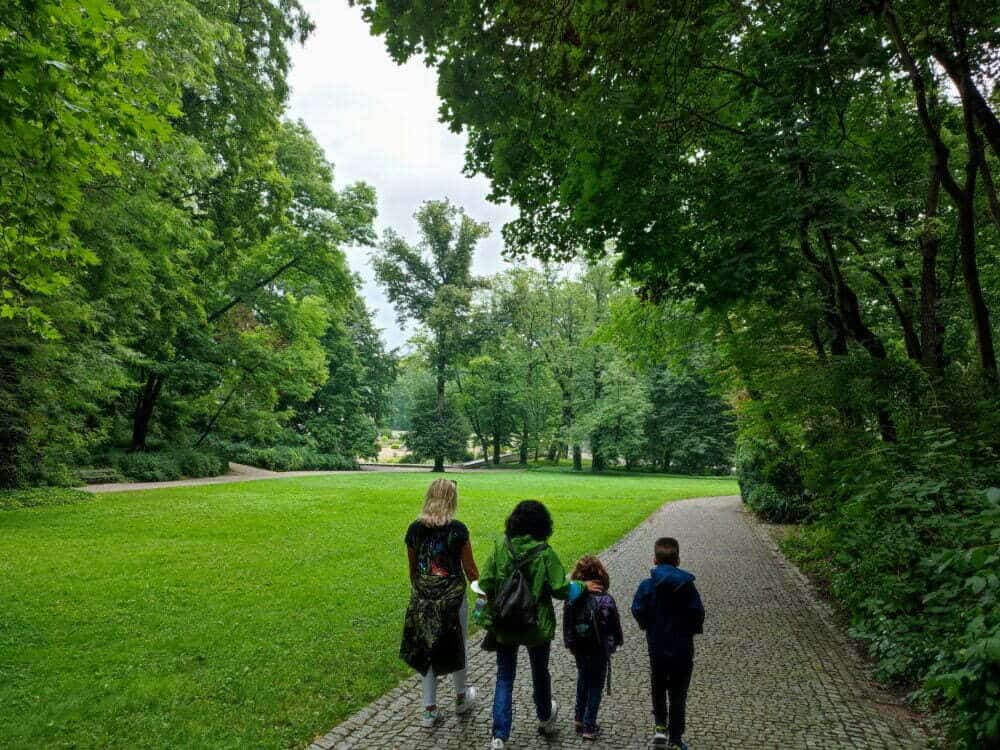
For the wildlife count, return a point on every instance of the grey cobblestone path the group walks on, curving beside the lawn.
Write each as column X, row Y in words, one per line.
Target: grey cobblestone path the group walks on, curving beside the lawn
column 770, row 671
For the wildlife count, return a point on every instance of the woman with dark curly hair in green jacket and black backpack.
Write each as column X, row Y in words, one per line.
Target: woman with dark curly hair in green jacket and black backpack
column 520, row 580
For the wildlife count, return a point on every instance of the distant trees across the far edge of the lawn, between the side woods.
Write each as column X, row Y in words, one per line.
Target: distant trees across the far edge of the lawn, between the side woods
column 523, row 361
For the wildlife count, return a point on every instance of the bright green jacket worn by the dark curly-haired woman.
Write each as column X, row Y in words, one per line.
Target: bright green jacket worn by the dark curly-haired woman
column 546, row 578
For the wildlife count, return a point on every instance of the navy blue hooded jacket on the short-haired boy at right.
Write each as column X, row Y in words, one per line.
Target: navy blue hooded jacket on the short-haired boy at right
column 668, row 607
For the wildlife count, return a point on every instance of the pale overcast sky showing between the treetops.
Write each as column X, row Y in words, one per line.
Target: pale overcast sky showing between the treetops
column 378, row 122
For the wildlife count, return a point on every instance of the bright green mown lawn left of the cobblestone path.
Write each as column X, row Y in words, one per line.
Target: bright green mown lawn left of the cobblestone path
column 244, row 615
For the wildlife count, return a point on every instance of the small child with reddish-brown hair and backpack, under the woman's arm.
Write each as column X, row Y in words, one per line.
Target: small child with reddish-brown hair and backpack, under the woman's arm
column 592, row 631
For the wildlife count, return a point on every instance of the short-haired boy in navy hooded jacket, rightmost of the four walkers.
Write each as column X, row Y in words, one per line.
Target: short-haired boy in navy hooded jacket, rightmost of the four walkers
column 668, row 607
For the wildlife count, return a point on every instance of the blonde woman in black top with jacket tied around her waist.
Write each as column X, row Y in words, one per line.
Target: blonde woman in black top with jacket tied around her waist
column 436, row 625
